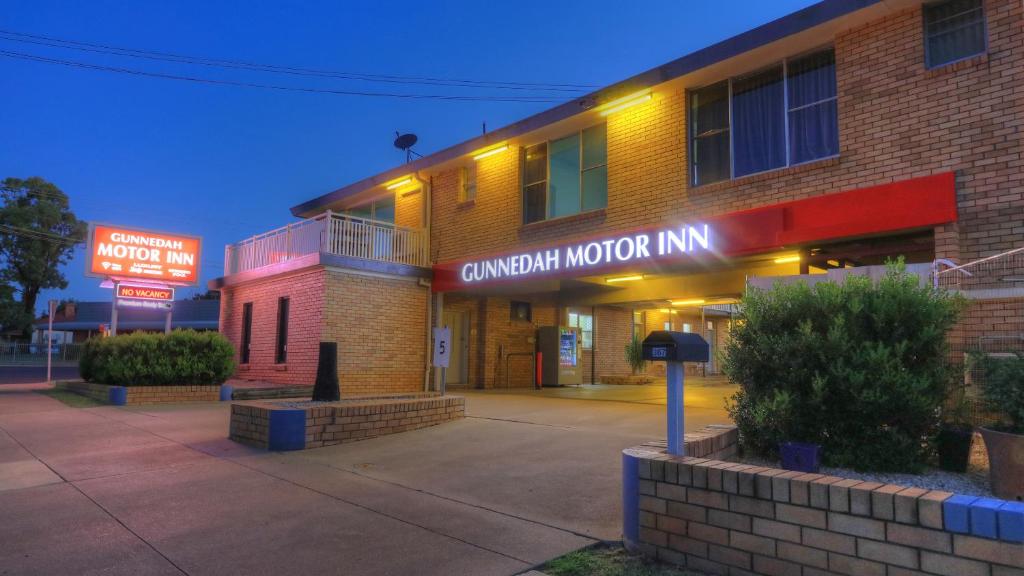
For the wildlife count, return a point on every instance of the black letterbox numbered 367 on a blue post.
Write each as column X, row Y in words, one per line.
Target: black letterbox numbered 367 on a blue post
column 674, row 349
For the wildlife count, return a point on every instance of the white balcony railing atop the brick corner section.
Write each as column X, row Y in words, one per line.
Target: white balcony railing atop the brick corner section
column 330, row 234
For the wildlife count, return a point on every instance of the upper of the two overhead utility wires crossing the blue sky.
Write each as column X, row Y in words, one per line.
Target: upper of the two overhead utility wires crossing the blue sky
column 202, row 61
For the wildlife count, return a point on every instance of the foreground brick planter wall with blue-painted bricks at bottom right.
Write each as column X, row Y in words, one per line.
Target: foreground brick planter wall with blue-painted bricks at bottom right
column 727, row 518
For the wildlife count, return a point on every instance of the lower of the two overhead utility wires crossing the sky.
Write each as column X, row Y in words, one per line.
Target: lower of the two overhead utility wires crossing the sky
column 73, row 64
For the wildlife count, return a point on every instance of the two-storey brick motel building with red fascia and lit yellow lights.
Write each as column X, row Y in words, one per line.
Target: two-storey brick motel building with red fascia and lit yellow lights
column 830, row 140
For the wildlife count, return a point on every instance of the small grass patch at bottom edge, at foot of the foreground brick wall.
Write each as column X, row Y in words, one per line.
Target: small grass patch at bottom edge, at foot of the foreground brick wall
column 609, row 561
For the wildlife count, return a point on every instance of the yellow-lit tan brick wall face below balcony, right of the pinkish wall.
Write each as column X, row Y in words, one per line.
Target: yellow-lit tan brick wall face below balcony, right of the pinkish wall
column 380, row 326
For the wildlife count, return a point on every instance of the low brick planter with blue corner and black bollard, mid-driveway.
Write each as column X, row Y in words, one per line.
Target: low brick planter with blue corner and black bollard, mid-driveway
column 283, row 427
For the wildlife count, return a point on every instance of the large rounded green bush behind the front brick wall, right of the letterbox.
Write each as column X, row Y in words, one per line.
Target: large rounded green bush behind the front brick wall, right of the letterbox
column 860, row 368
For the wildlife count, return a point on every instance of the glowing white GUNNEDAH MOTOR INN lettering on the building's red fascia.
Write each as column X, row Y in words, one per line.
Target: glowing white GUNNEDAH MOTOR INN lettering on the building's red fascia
column 584, row 257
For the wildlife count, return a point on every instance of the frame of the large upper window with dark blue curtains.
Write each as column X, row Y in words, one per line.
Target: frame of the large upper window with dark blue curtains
column 787, row 111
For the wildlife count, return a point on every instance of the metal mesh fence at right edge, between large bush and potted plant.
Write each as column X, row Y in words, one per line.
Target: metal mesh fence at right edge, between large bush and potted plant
column 993, row 324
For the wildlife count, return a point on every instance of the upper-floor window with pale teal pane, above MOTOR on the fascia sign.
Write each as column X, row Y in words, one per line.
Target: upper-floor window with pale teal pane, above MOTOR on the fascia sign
column 567, row 177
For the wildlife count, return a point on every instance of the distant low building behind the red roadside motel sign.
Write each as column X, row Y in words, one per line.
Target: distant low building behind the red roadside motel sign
column 77, row 321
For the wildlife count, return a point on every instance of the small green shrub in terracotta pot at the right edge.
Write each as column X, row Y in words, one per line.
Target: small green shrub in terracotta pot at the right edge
column 1003, row 388
